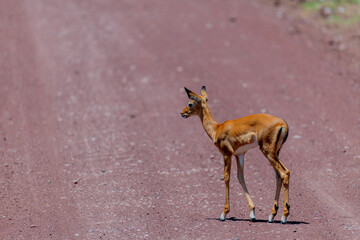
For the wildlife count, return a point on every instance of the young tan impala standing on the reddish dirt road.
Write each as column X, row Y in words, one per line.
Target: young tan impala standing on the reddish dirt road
column 235, row 138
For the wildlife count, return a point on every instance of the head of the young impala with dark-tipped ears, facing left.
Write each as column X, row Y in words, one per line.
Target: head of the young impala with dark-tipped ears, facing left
column 194, row 105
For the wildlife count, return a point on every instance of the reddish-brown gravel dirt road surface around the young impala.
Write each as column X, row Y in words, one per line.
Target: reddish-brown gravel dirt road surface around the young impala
column 93, row 145
